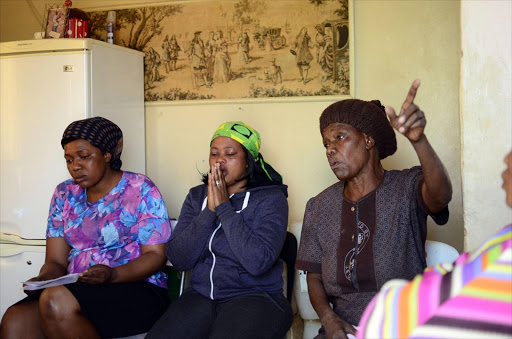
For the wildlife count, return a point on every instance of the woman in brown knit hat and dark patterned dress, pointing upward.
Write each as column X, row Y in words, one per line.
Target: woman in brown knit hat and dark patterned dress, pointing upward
column 371, row 226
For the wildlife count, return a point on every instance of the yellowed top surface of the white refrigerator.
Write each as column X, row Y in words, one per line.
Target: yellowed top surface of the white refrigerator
column 55, row 45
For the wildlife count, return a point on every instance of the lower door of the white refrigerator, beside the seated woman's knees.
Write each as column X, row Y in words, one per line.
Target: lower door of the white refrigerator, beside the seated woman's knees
column 19, row 263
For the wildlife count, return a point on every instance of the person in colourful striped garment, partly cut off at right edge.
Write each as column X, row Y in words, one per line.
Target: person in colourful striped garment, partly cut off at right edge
column 471, row 298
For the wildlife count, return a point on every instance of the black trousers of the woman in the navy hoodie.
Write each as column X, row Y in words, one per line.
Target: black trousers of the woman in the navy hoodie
column 257, row 315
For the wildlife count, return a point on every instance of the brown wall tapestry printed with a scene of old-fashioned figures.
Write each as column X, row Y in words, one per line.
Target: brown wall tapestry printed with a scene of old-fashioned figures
column 237, row 49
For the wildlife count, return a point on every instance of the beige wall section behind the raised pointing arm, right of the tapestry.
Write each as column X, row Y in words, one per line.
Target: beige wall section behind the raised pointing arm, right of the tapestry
column 397, row 41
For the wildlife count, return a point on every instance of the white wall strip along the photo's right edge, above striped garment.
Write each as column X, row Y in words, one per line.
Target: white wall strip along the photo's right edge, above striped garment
column 486, row 115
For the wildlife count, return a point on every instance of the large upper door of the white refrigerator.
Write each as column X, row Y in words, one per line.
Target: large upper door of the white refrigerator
column 39, row 97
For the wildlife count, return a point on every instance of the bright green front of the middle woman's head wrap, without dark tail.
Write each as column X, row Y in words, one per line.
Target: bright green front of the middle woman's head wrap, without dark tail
column 244, row 134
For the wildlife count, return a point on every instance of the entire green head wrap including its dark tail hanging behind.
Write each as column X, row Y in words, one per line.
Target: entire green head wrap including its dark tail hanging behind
column 250, row 139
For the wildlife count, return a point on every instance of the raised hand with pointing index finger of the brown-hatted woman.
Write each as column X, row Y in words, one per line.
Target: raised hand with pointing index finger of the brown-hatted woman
column 411, row 122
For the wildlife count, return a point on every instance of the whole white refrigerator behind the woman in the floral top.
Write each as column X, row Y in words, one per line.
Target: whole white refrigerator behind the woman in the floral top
column 45, row 85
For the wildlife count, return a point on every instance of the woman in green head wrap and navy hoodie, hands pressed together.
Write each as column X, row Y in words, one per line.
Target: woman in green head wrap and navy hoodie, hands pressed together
column 230, row 232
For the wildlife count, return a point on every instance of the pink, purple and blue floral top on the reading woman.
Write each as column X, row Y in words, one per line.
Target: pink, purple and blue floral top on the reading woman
column 110, row 231
